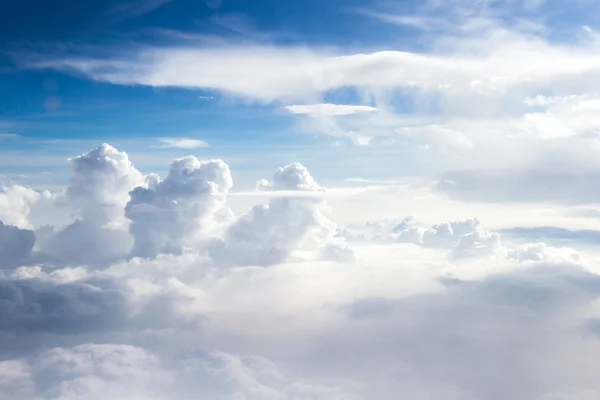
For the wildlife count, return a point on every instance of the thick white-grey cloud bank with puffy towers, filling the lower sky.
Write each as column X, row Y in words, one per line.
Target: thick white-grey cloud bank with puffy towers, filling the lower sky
column 127, row 285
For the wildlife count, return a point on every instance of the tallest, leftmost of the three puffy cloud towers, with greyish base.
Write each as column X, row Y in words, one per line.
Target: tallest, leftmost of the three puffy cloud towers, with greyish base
column 98, row 191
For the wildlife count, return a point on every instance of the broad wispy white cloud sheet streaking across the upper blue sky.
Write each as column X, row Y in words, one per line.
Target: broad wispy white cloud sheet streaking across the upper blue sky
column 466, row 91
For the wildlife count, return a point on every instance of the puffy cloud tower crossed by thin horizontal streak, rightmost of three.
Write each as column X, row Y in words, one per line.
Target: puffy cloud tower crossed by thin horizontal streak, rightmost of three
column 269, row 234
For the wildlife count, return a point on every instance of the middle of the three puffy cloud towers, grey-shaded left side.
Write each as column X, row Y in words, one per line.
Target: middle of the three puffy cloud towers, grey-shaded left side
column 169, row 215
